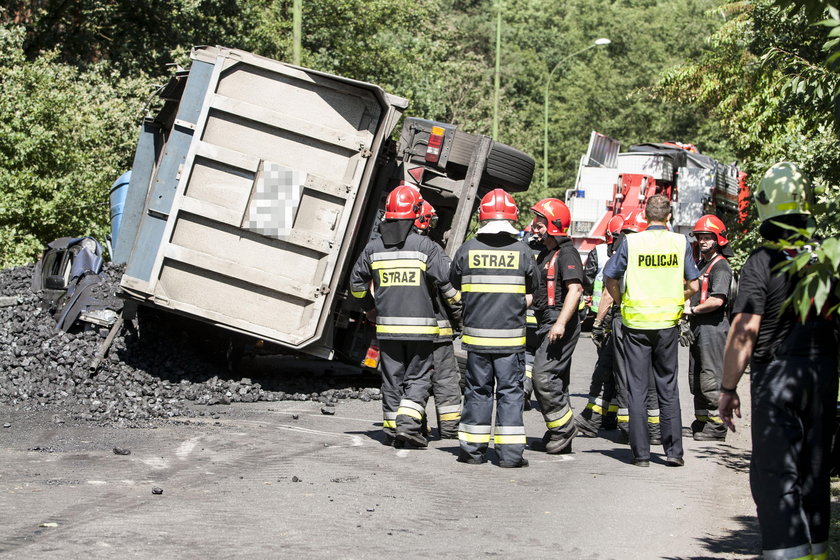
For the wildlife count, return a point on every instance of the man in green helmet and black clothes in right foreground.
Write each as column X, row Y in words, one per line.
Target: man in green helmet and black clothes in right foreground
column 793, row 367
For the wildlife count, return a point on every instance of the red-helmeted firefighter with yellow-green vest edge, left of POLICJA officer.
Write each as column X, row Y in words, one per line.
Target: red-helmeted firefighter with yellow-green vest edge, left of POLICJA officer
column 601, row 411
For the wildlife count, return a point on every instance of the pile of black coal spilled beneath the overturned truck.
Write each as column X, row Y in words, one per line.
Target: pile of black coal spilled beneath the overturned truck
column 158, row 366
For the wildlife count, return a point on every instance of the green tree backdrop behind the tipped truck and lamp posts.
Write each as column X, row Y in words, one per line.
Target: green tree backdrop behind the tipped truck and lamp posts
column 76, row 57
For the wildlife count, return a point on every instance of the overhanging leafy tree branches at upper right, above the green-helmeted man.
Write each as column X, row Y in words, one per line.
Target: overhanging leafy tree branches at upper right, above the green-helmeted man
column 764, row 76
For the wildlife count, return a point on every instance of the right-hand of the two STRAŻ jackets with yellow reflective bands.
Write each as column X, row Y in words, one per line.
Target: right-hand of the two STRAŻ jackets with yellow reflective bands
column 494, row 272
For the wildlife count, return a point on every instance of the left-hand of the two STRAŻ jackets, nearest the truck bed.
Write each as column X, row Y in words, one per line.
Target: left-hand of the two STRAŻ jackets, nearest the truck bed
column 403, row 276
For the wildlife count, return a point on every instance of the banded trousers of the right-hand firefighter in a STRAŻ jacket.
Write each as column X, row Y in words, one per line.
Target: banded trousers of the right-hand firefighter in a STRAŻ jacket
column 506, row 371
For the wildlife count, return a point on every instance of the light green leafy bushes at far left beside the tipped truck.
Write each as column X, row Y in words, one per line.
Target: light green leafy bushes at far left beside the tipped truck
column 65, row 135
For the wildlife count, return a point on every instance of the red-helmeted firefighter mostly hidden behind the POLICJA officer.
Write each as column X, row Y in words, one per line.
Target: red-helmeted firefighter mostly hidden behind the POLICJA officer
column 635, row 222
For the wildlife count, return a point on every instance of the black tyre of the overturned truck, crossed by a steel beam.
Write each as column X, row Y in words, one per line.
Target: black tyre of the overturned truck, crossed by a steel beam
column 507, row 167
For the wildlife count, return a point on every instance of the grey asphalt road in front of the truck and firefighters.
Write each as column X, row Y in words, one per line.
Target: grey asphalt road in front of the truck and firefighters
column 282, row 480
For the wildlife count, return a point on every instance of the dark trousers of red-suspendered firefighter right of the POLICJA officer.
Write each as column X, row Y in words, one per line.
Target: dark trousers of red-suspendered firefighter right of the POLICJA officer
column 705, row 373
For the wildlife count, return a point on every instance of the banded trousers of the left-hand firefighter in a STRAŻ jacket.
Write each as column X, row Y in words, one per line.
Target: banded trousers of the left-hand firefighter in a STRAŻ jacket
column 406, row 380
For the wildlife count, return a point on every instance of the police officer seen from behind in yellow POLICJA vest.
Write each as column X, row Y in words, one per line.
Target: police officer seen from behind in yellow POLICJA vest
column 659, row 274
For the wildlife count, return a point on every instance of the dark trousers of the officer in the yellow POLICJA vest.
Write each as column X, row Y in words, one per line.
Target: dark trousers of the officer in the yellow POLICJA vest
column 658, row 348
